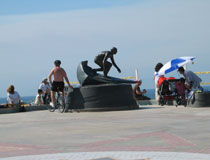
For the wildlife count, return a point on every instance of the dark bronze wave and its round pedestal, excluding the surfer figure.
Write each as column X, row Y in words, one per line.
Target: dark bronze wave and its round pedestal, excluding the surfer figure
column 101, row 93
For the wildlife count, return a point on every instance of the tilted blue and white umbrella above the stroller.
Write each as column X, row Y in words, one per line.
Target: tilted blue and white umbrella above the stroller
column 174, row 64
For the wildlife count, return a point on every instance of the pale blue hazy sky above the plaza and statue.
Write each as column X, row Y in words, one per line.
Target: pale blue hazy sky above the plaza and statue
column 35, row 33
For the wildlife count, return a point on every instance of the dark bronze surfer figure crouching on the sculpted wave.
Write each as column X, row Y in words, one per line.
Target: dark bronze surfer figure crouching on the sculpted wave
column 102, row 58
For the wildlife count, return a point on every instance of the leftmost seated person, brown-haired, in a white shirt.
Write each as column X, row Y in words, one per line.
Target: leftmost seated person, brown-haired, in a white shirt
column 13, row 99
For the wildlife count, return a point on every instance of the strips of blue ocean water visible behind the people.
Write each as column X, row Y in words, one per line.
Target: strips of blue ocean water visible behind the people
column 150, row 93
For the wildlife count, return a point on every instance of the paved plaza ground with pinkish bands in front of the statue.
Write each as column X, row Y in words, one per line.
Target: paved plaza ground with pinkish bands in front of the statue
column 150, row 133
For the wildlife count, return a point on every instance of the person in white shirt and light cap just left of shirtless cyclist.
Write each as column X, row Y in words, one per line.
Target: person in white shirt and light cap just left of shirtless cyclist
column 45, row 87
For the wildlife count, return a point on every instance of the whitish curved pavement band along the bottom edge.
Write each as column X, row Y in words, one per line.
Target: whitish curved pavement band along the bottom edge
column 116, row 156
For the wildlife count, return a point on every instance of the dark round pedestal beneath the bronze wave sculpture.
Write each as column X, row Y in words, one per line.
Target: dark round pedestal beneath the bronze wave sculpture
column 104, row 97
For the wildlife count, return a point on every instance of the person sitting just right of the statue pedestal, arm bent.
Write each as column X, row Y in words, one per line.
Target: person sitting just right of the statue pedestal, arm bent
column 139, row 95
